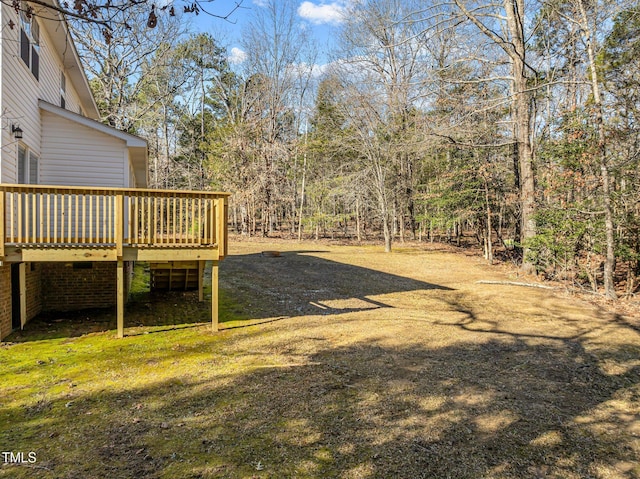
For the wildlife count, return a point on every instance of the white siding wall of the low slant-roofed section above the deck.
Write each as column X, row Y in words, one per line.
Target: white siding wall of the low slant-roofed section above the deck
column 76, row 155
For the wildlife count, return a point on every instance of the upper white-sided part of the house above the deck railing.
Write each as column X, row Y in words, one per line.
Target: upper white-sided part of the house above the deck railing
column 46, row 95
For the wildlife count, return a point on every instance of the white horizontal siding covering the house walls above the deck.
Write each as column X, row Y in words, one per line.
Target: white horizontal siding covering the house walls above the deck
column 71, row 152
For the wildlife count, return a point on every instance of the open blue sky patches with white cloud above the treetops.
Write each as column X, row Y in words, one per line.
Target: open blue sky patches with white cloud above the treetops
column 320, row 18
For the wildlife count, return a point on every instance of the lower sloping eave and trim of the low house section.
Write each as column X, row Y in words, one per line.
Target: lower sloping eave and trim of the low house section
column 137, row 146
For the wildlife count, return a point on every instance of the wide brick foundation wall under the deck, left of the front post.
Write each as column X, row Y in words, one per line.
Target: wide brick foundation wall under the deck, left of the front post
column 66, row 287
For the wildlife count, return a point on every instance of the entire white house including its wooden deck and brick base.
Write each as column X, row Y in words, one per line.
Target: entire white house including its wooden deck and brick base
column 55, row 251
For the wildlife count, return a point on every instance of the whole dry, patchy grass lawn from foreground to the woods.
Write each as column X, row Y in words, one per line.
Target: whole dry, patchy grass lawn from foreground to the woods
column 335, row 361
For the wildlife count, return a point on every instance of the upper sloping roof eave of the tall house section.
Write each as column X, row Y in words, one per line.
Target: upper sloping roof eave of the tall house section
column 58, row 30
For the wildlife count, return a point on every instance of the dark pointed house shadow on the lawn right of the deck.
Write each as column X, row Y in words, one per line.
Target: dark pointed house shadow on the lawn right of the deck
column 298, row 283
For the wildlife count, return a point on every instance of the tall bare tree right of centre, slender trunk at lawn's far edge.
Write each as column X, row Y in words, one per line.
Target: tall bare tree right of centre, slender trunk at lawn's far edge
column 384, row 74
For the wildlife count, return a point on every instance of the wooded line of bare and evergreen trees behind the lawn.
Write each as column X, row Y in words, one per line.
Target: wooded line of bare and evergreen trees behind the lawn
column 514, row 122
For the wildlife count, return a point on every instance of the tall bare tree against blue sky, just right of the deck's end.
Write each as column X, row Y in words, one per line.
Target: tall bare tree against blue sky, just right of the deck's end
column 276, row 48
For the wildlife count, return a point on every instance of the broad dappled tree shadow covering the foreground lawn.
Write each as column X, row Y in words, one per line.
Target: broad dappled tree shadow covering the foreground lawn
column 504, row 408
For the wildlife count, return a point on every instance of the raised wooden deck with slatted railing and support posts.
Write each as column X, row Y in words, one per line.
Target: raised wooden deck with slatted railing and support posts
column 59, row 223
